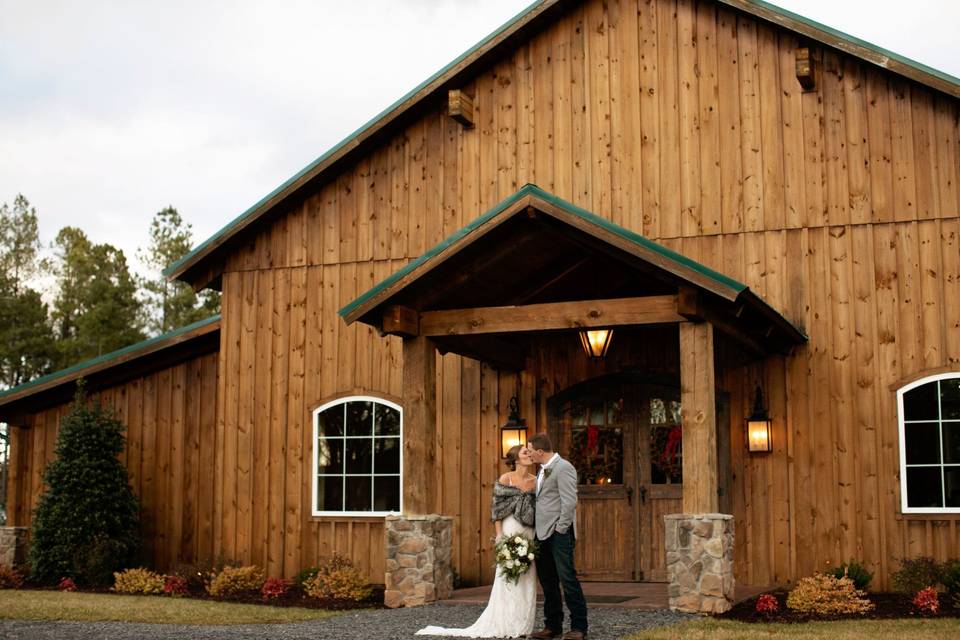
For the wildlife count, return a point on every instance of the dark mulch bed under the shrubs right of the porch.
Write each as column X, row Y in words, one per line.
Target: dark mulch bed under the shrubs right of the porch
column 886, row 606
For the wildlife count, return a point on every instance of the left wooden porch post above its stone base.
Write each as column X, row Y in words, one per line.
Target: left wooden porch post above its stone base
column 420, row 424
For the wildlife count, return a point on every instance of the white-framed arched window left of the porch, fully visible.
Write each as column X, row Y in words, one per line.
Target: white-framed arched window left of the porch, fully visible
column 357, row 457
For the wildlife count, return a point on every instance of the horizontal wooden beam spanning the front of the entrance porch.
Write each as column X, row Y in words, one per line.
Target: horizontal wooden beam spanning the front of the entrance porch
column 551, row 315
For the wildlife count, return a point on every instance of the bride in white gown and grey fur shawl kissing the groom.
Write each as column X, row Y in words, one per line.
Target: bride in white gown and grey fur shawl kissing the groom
column 512, row 607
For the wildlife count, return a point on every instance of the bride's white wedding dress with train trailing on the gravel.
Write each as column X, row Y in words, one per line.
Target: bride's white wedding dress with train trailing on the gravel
column 512, row 608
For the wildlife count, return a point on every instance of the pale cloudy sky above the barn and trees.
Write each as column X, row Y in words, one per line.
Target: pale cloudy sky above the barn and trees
column 110, row 111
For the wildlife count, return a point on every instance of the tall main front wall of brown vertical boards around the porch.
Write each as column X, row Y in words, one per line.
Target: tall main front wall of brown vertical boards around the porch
column 680, row 120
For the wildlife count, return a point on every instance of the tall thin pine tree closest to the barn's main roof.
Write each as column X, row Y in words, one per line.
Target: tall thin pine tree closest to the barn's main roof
column 172, row 304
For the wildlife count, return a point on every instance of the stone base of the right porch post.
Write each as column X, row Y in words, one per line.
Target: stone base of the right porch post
column 700, row 562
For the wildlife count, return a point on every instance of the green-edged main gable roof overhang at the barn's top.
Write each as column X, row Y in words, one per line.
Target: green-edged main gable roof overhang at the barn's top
column 194, row 267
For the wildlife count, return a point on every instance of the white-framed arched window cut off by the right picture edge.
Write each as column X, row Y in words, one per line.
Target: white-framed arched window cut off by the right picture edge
column 929, row 412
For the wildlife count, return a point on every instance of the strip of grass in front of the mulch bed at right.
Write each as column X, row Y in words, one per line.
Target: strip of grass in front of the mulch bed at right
column 845, row 630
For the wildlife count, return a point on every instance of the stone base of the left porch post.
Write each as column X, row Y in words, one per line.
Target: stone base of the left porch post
column 418, row 567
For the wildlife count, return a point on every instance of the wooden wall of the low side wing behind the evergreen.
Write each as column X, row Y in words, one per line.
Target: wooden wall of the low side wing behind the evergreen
column 170, row 420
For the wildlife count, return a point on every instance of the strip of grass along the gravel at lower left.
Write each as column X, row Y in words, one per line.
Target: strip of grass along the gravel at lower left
column 97, row 607
